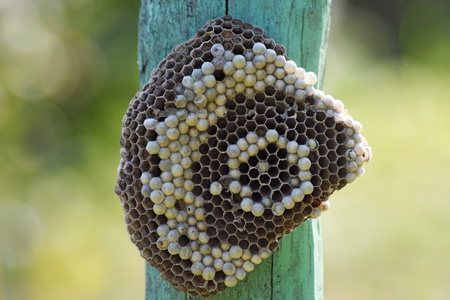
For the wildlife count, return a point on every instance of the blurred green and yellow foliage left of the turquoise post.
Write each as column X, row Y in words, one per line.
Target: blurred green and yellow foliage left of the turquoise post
column 67, row 72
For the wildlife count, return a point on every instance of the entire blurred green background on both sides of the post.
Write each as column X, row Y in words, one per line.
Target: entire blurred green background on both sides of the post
column 67, row 72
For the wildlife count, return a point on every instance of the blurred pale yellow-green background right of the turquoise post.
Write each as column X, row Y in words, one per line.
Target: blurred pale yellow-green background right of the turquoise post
column 386, row 236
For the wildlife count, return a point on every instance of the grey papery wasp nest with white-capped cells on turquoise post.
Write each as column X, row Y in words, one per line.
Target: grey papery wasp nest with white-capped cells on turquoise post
column 225, row 150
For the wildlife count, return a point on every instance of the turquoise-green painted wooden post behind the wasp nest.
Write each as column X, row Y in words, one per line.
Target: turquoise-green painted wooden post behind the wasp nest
column 294, row 271
